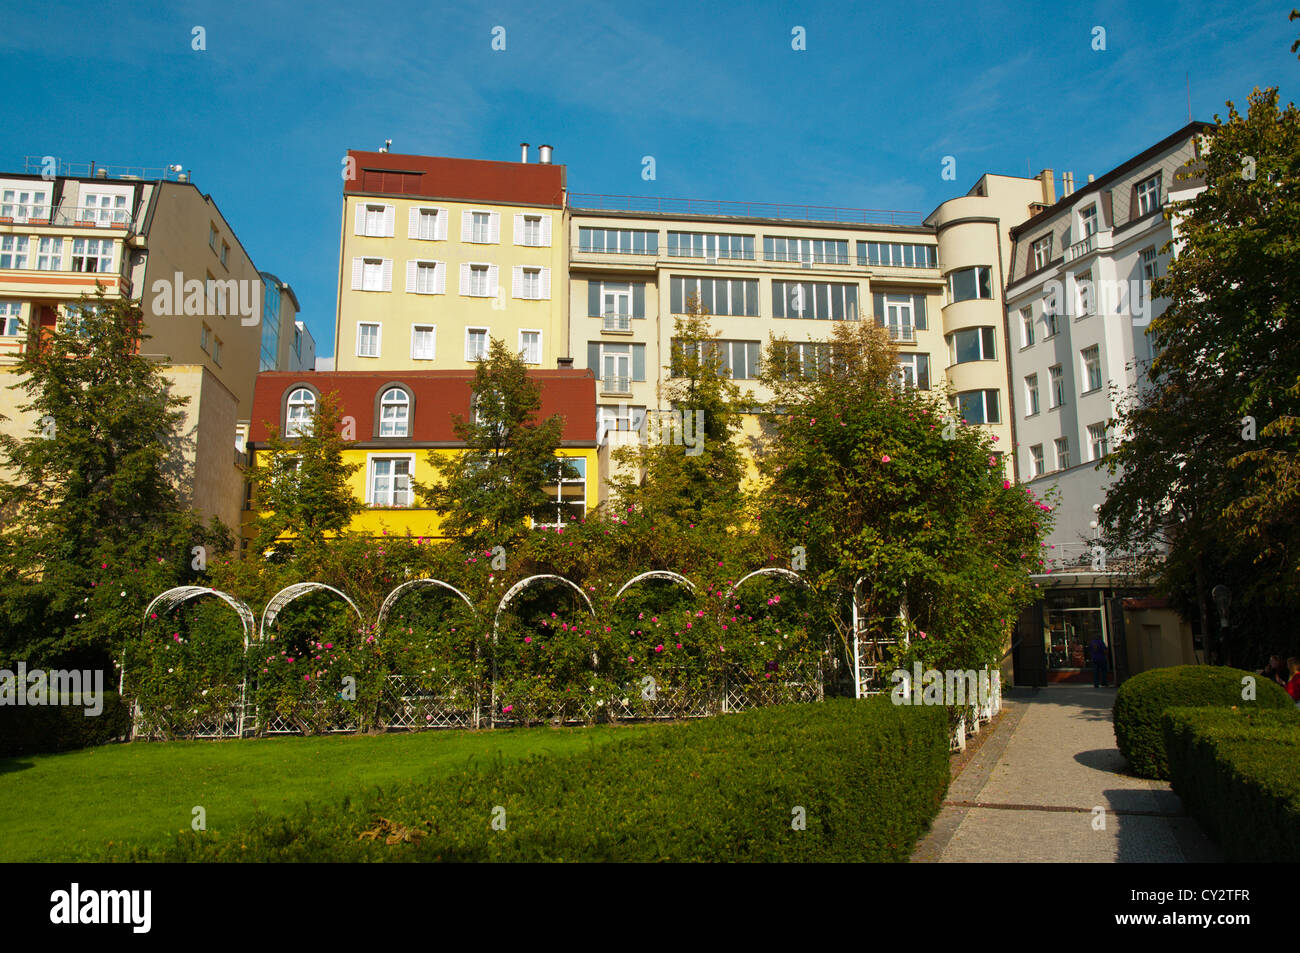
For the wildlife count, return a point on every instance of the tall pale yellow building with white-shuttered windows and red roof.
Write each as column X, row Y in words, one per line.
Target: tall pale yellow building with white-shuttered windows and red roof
column 440, row 255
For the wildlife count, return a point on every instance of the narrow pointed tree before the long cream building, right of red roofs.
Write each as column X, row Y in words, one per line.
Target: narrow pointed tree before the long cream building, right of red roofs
column 688, row 467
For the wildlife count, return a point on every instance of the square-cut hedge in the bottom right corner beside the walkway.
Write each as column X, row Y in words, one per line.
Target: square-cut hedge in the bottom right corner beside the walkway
column 1238, row 773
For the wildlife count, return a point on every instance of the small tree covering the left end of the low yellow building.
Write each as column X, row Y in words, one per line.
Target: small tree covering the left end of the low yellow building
column 302, row 483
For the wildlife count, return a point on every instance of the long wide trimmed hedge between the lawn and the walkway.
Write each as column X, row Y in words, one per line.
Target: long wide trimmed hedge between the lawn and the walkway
column 869, row 776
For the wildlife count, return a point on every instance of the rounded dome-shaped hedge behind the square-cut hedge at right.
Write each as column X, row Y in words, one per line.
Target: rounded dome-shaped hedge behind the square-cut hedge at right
column 1143, row 700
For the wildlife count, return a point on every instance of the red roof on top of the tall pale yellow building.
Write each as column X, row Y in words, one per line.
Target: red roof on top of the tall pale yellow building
column 473, row 180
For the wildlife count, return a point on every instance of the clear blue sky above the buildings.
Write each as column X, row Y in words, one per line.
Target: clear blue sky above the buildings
column 863, row 118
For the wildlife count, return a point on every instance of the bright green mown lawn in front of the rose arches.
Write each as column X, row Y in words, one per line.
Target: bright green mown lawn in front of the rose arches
column 67, row 807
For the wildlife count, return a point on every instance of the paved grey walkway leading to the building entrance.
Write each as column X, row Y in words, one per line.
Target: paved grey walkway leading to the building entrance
column 1029, row 794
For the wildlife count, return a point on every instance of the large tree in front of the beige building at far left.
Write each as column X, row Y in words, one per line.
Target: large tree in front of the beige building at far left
column 92, row 516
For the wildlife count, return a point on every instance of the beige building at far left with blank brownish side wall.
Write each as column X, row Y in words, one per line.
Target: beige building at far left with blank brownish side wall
column 162, row 242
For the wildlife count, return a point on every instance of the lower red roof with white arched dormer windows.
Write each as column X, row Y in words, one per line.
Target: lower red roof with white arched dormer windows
column 437, row 396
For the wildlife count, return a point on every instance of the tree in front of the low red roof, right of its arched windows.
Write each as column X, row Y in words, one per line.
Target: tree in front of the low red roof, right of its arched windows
column 488, row 493
